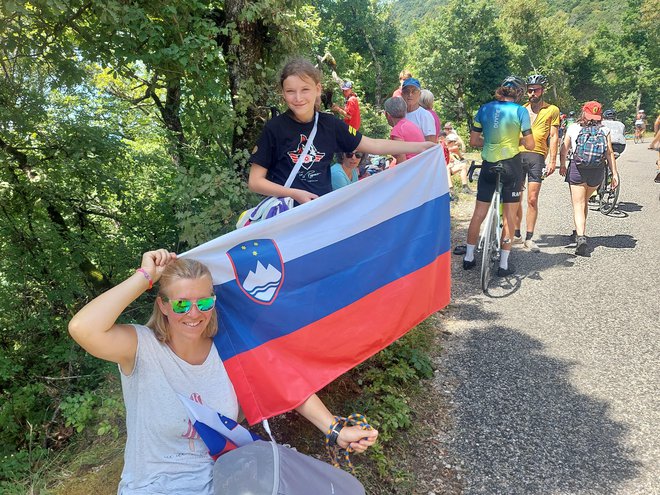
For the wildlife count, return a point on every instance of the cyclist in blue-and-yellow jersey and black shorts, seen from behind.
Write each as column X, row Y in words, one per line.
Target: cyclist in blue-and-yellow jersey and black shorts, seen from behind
column 497, row 128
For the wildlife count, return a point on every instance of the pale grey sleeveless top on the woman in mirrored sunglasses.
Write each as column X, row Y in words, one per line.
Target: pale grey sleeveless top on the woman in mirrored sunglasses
column 164, row 454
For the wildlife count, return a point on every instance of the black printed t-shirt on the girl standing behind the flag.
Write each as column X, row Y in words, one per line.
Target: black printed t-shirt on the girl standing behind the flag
column 283, row 140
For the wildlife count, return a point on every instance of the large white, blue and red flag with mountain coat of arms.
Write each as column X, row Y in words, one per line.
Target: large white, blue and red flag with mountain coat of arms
column 309, row 294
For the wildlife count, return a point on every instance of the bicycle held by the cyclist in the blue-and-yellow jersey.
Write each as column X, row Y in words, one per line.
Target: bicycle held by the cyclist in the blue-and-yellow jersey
column 491, row 234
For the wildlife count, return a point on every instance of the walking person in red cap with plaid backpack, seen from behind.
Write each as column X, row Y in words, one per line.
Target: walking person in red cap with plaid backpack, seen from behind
column 582, row 140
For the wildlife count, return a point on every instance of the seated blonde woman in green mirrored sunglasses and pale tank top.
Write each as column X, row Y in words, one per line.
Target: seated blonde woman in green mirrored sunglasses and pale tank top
column 174, row 353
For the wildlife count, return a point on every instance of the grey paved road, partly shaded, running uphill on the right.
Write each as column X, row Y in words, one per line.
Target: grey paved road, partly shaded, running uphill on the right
column 557, row 375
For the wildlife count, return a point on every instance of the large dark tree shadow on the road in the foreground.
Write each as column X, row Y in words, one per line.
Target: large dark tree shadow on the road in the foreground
column 522, row 428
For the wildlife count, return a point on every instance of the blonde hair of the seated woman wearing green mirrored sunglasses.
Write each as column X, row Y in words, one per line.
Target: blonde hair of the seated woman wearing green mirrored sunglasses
column 182, row 268
